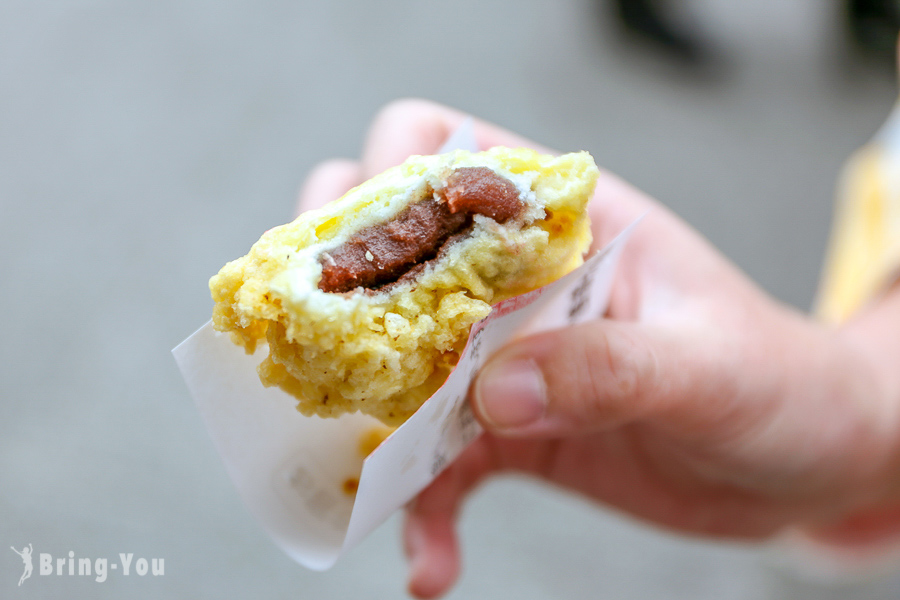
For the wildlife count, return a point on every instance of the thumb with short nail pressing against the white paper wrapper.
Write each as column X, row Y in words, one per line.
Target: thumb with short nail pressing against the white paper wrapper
column 601, row 375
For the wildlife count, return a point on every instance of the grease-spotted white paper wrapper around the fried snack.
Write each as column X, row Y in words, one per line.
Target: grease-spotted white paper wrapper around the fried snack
column 291, row 470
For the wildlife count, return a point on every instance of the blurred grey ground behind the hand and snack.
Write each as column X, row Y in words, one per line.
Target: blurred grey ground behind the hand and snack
column 144, row 144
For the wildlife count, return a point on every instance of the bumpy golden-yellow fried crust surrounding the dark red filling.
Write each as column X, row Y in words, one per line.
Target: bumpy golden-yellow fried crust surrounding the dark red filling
column 385, row 351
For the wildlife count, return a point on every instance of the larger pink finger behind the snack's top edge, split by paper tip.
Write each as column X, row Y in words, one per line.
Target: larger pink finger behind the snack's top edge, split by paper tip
column 412, row 126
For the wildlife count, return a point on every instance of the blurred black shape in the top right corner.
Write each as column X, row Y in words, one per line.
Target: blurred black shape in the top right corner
column 873, row 26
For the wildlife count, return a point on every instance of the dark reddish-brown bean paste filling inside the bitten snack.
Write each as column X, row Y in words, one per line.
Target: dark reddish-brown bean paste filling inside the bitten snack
column 382, row 254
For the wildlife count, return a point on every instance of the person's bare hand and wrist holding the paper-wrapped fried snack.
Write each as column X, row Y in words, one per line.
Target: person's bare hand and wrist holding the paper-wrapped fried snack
column 698, row 402
